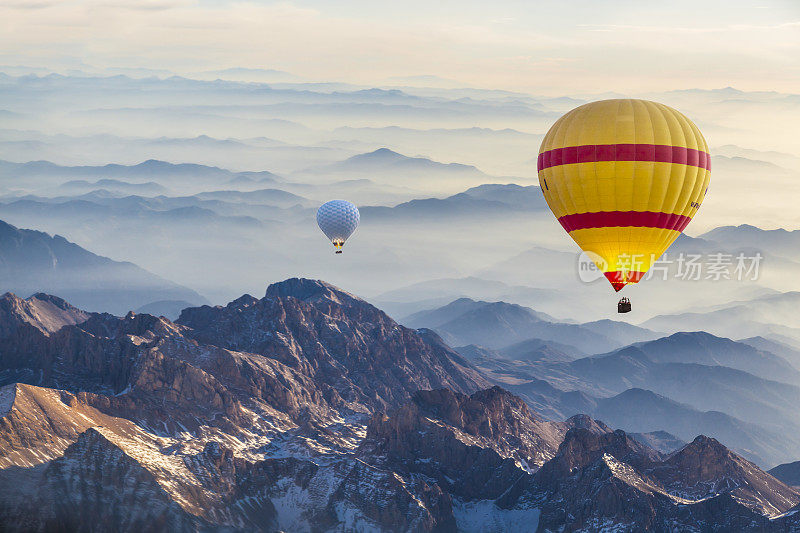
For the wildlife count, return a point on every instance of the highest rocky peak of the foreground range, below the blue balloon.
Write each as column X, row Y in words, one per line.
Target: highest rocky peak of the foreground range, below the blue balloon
column 336, row 338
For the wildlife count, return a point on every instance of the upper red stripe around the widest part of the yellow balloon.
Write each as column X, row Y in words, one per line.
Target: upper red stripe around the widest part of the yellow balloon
column 593, row 153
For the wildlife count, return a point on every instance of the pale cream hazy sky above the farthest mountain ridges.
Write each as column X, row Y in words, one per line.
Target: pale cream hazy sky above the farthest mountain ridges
column 559, row 46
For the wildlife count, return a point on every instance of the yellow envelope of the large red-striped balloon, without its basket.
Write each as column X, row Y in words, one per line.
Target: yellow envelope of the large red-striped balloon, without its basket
column 624, row 178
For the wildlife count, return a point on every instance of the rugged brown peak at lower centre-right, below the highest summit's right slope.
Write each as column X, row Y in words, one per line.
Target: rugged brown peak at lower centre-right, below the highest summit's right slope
column 473, row 445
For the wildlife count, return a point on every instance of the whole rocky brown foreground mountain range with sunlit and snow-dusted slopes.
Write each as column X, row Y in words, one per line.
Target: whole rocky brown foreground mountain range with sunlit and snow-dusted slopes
column 311, row 410
